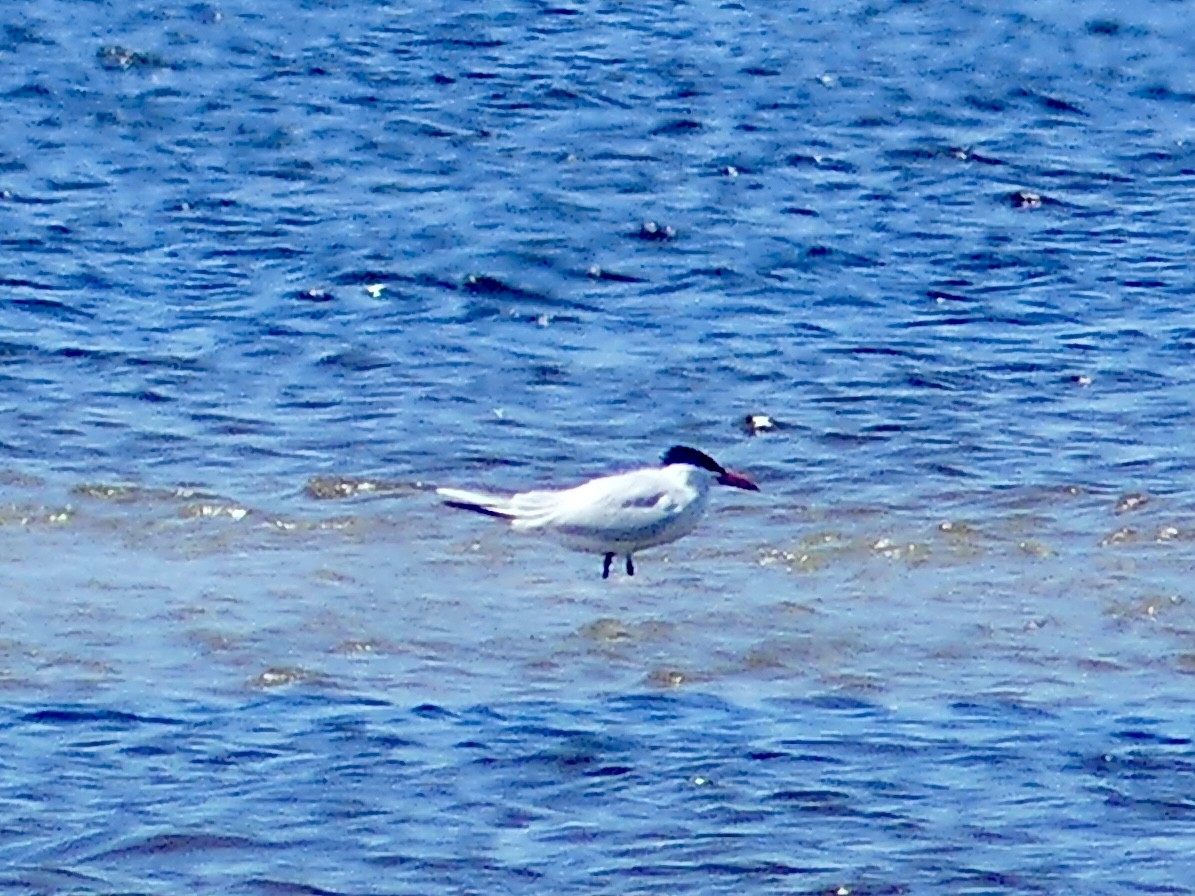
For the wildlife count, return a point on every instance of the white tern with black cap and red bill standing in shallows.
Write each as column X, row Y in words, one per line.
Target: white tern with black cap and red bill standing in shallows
column 616, row 514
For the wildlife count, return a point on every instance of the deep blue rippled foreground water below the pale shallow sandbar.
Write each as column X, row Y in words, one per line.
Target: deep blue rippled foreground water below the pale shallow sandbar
column 636, row 794
